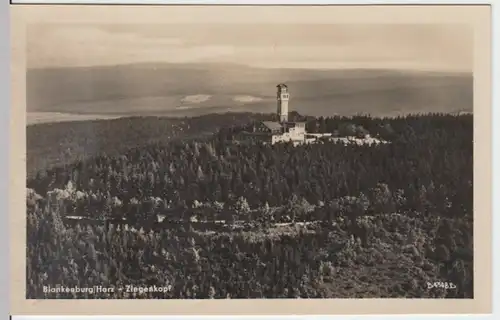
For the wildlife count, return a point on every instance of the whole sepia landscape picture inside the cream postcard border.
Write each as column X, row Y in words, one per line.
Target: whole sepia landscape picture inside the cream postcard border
column 274, row 160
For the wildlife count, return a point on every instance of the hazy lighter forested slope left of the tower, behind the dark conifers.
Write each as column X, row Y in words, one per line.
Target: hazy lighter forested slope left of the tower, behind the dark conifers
column 56, row 144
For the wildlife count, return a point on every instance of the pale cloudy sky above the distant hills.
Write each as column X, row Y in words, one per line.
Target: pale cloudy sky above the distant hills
column 438, row 47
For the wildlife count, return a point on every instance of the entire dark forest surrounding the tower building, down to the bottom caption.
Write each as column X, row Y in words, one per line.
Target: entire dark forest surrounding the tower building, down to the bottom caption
column 192, row 210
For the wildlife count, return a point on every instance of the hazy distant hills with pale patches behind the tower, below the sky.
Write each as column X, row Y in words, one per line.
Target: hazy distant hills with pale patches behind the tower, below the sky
column 196, row 89
